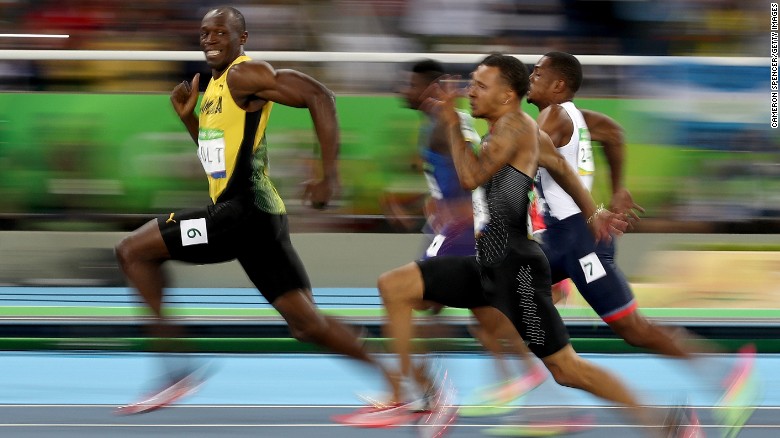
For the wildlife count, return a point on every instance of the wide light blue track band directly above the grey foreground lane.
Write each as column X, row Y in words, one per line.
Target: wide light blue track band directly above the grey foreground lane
column 110, row 378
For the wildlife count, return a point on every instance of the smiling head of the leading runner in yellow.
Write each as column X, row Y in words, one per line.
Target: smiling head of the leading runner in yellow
column 222, row 37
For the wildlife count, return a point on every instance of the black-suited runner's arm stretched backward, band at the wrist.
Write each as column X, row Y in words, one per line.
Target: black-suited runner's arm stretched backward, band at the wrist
column 567, row 178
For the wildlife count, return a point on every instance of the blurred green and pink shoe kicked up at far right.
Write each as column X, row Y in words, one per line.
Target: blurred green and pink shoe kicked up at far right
column 741, row 395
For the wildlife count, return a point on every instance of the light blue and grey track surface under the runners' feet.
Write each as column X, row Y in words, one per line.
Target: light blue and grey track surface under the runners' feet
column 269, row 395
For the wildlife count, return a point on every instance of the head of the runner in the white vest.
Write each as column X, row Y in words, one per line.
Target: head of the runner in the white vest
column 556, row 78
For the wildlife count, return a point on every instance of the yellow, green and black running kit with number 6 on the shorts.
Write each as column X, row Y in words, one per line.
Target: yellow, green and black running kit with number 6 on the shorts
column 247, row 220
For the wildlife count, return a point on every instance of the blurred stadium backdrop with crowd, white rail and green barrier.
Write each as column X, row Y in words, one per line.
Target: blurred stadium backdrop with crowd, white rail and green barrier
column 90, row 146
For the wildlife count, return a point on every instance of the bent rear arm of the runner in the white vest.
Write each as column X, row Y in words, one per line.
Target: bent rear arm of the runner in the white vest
column 609, row 133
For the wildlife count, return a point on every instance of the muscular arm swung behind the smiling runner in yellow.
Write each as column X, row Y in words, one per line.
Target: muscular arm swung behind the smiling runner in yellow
column 258, row 81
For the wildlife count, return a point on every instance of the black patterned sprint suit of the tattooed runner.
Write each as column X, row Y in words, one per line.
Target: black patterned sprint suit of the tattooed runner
column 509, row 268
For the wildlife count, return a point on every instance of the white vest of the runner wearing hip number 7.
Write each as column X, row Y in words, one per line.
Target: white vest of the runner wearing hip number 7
column 579, row 155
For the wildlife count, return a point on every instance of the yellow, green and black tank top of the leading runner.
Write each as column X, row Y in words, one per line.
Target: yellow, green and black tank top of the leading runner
column 232, row 147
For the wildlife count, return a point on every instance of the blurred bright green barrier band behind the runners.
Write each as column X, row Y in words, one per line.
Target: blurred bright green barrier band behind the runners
column 128, row 154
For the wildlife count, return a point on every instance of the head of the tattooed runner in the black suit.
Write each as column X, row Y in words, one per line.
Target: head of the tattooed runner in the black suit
column 498, row 81
